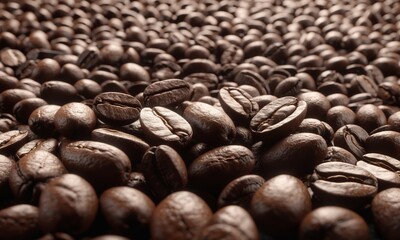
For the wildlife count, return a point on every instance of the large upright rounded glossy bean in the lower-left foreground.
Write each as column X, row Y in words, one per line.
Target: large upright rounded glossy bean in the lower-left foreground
column 67, row 204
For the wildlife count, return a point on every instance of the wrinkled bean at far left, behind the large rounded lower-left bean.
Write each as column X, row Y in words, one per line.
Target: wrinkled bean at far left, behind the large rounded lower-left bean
column 31, row 172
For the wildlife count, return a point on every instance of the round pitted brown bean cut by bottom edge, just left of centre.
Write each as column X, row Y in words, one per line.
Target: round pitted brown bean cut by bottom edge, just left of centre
column 193, row 214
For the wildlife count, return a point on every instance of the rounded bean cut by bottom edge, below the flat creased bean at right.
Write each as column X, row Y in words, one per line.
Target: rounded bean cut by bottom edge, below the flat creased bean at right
column 333, row 222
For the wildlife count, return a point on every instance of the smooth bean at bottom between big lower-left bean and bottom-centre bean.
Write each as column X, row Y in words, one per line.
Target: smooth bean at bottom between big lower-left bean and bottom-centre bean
column 127, row 211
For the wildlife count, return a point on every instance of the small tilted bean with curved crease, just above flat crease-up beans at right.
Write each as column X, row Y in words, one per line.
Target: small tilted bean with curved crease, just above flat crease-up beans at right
column 352, row 138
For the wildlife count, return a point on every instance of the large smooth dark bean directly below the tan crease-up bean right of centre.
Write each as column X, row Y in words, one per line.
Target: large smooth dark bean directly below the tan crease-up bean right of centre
column 296, row 154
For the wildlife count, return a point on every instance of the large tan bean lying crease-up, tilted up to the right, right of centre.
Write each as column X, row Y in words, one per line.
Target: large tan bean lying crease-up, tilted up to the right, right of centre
column 278, row 119
